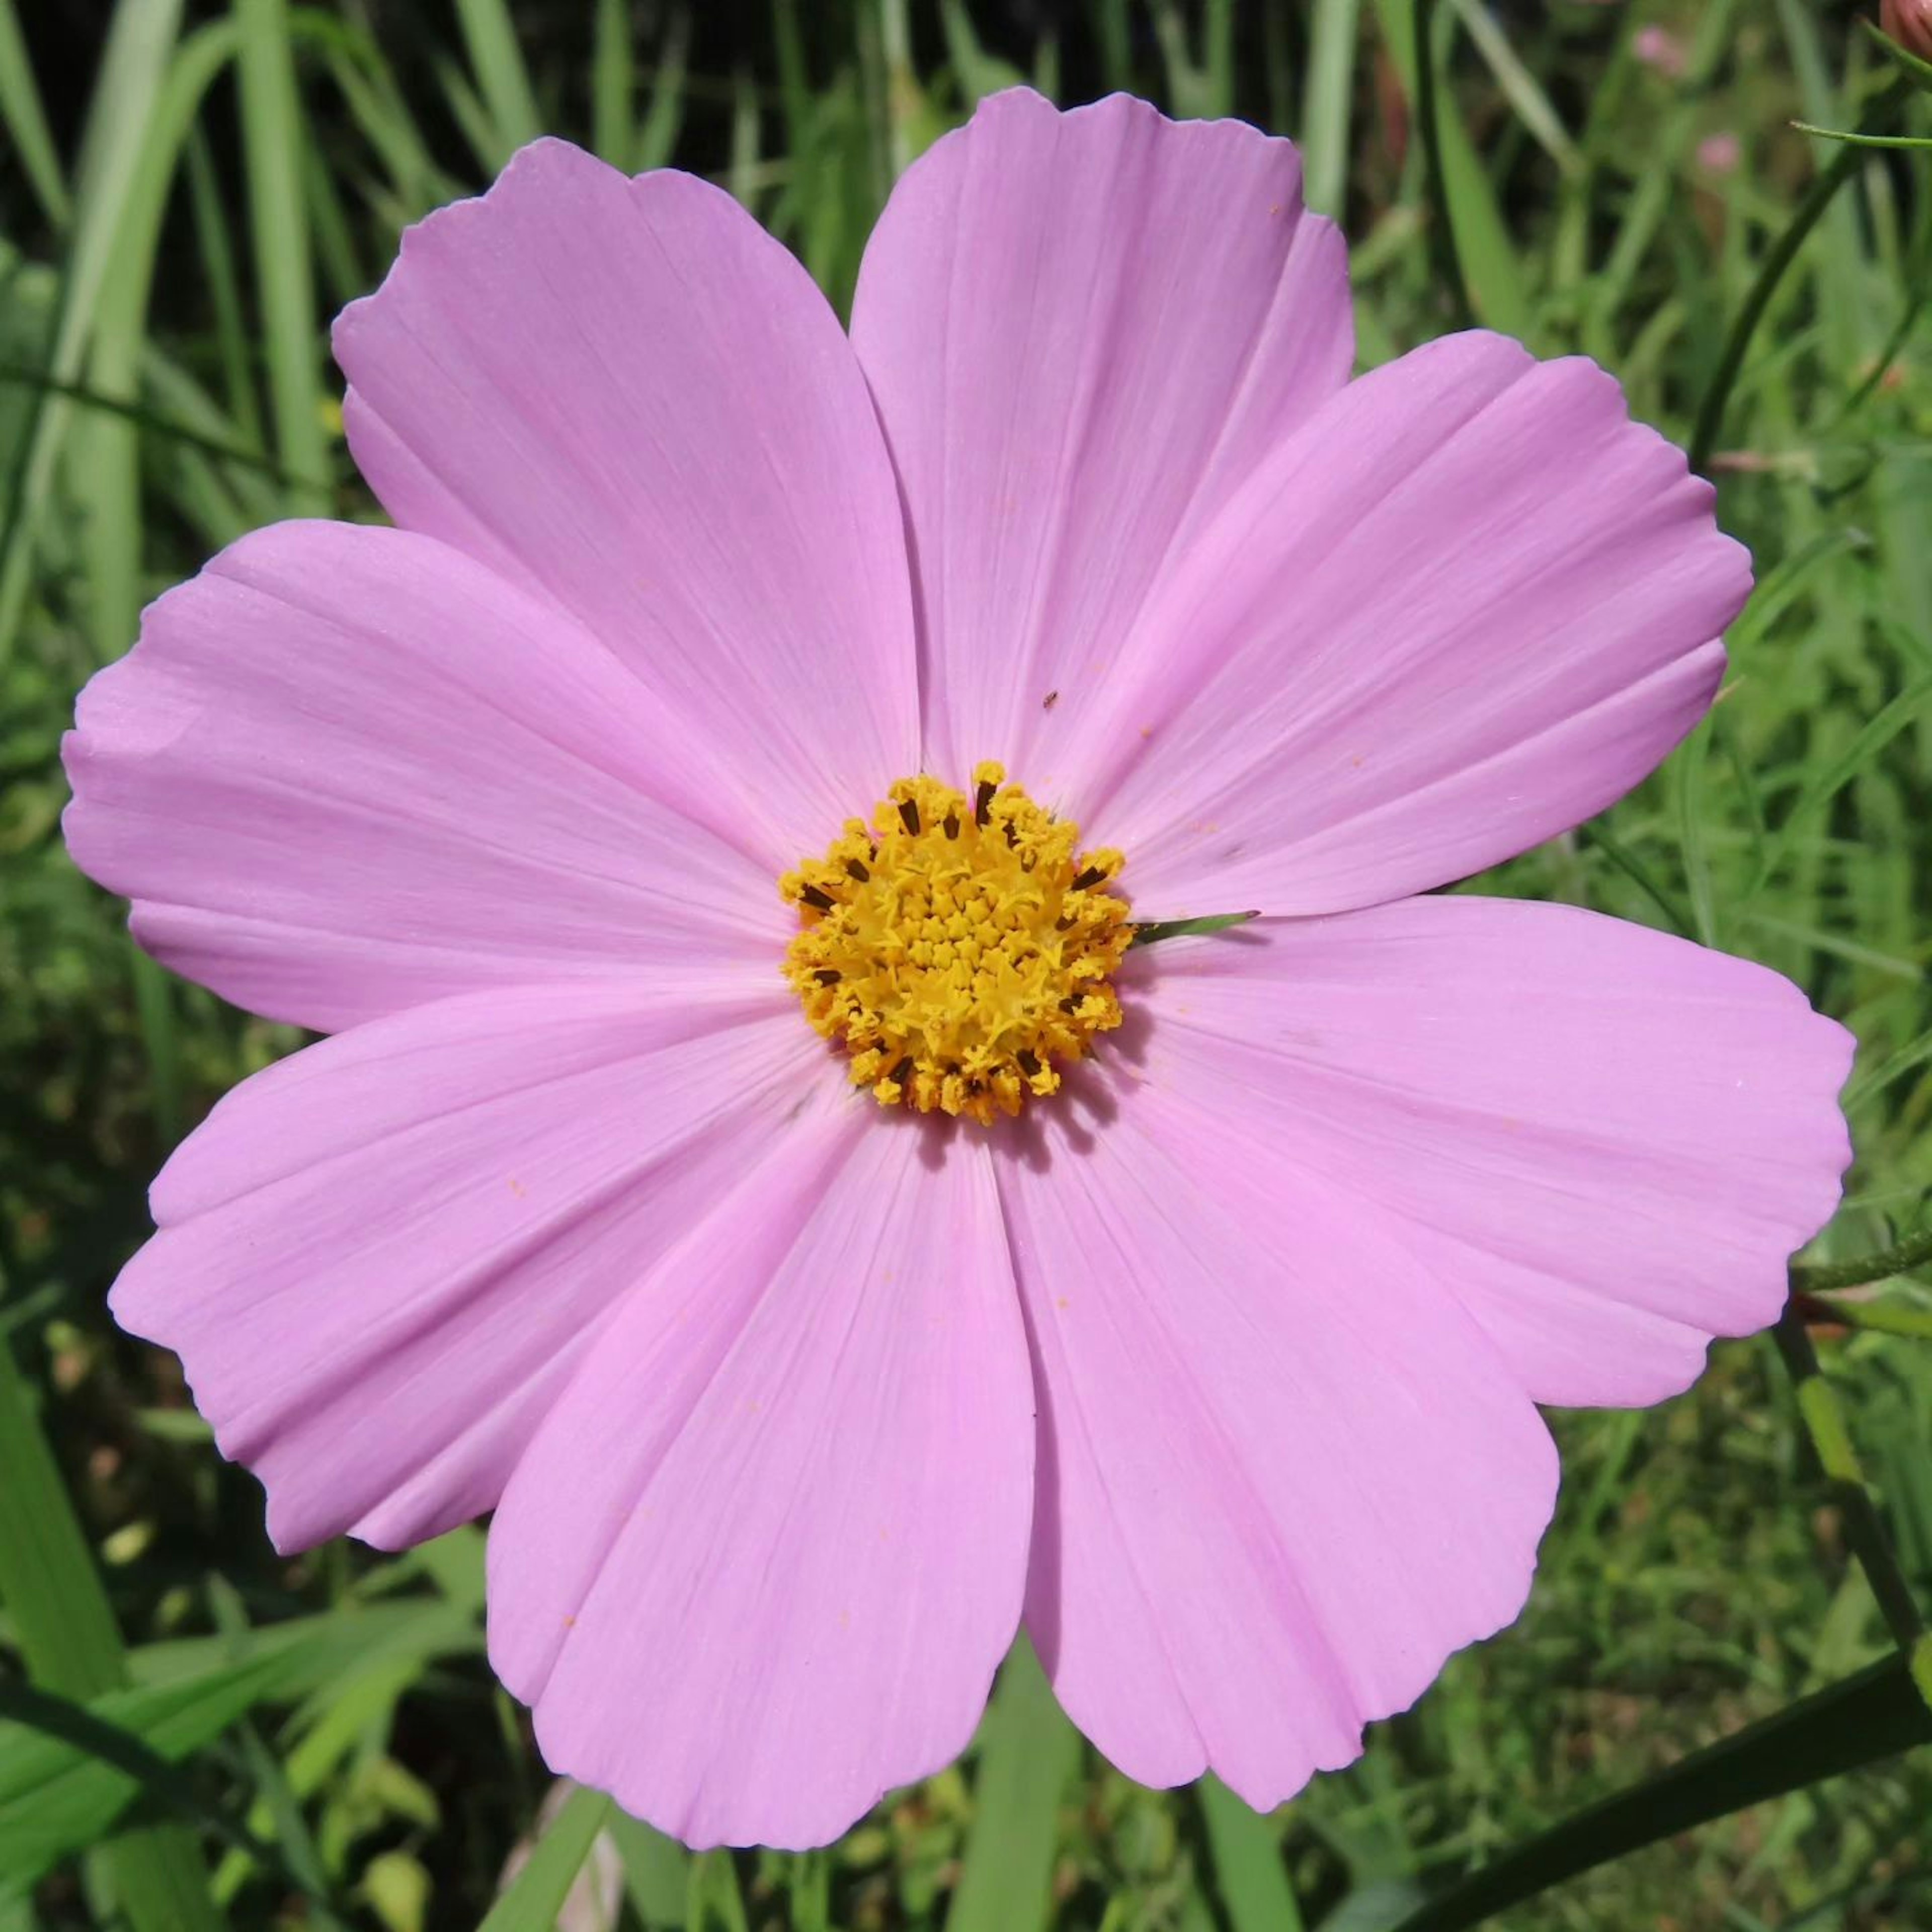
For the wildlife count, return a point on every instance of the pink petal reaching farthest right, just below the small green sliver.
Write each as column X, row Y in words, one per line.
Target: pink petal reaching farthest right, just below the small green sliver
column 1603, row 1139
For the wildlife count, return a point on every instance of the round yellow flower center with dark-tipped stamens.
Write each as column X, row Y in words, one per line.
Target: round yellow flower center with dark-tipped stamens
column 963, row 952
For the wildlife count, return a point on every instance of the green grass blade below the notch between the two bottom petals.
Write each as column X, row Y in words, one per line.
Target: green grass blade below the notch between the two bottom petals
column 1029, row 1755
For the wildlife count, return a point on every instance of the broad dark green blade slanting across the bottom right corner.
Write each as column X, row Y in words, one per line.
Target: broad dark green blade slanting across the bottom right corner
column 1856, row 1722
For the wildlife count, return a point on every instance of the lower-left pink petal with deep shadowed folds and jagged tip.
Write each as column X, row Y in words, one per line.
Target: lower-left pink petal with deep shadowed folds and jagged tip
column 382, row 1261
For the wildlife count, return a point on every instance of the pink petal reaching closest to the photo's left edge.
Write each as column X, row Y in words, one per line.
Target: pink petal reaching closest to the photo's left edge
column 351, row 770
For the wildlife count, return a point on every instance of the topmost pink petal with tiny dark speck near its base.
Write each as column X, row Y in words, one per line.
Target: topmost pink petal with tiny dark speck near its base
column 1085, row 331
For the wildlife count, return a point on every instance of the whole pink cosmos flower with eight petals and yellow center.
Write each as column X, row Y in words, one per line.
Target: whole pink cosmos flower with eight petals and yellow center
column 1218, row 1365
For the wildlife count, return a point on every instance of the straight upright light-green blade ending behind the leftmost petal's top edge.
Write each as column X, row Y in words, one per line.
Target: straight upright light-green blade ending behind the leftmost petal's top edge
column 273, row 140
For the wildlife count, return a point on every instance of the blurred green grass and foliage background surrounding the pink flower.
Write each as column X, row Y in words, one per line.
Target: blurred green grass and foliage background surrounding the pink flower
column 186, row 194
